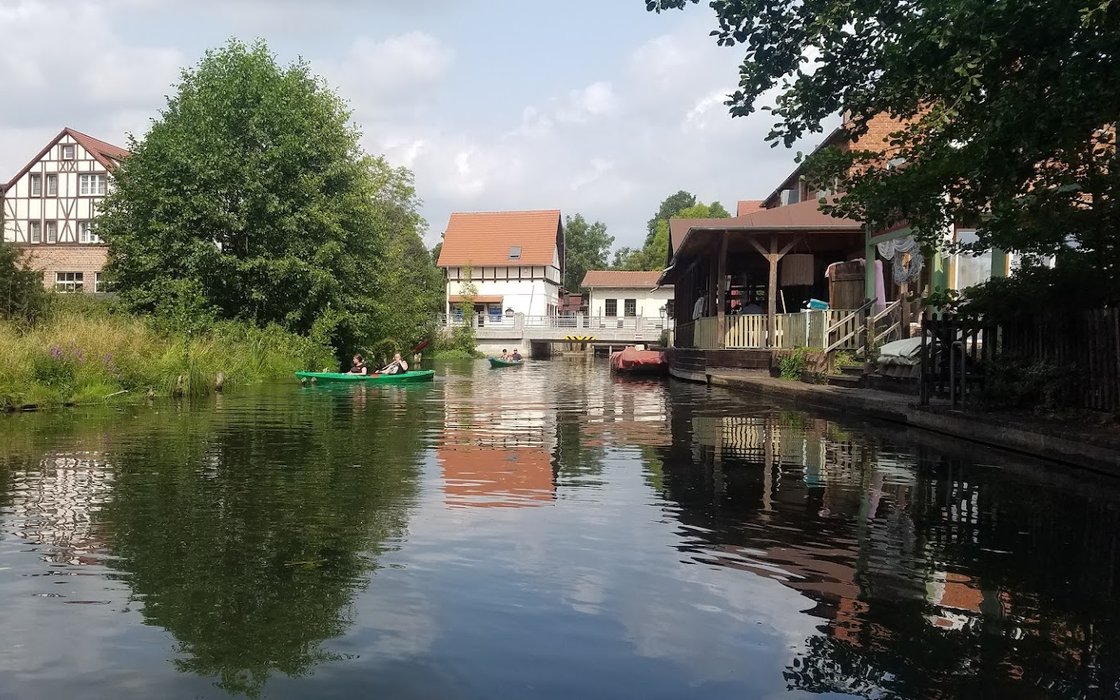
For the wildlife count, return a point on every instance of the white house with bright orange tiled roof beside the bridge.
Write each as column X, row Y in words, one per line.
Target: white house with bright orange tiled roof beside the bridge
column 515, row 262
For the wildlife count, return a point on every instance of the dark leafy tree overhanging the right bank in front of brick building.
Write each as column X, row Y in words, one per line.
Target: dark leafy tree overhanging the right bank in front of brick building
column 1006, row 109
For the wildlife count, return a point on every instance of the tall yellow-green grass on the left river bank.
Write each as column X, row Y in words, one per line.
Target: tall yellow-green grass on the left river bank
column 83, row 353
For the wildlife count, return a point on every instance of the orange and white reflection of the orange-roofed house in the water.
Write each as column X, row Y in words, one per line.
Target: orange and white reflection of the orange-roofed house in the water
column 498, row 455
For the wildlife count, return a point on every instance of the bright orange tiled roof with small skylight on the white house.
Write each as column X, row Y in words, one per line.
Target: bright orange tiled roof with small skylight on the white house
column 487, row 238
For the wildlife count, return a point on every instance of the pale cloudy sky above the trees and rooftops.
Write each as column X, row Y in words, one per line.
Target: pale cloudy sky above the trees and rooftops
column 592, row 107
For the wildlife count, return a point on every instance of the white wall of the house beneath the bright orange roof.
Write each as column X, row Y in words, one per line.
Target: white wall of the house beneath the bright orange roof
column 533, row 291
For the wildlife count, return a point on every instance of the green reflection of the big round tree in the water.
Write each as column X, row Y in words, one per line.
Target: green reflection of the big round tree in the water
column 248, row 539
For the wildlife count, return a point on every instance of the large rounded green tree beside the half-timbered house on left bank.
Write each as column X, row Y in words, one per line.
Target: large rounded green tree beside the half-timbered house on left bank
column 251, row 199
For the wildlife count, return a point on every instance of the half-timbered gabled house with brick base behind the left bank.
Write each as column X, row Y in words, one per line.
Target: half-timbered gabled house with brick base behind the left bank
column 51, row 208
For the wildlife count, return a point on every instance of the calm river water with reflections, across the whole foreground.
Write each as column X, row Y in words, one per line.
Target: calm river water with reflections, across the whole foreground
column 542, row 533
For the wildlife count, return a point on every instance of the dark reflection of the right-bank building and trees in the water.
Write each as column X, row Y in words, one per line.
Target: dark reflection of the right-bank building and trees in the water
column 934, row 577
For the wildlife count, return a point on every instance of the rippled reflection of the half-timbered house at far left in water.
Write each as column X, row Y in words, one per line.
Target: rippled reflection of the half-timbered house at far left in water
column 53, row 506
